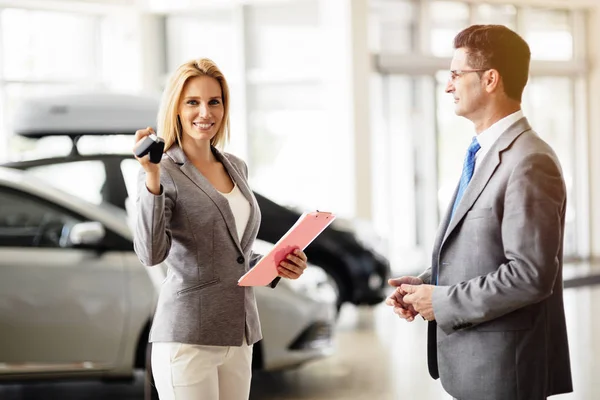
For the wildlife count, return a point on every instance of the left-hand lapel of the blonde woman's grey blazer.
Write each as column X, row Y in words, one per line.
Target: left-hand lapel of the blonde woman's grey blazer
column 189, row 170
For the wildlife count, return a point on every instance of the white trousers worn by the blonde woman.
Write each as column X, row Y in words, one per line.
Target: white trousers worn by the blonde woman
column 191, row 372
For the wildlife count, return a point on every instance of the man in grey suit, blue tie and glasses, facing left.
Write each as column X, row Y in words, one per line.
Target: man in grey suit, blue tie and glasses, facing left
column 493, row 295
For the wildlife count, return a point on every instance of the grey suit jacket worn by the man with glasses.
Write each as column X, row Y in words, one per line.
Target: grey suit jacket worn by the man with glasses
column 500, row 331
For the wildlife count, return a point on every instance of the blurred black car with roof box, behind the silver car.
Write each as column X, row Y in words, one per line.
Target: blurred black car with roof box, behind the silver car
column 347, row 251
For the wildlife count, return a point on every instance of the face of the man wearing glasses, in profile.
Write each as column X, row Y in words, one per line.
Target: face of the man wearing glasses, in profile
column 465, row 85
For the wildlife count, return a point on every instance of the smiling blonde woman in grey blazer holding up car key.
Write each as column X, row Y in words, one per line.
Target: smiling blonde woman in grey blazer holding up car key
column 197, row 213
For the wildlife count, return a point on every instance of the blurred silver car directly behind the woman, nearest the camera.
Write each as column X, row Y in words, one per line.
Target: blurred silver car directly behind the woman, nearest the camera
column 75, row 301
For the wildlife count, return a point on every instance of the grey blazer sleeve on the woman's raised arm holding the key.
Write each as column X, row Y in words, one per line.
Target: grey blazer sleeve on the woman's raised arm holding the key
column 152, row 238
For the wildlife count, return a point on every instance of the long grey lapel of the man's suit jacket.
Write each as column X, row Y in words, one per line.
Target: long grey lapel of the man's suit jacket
column 484, row 173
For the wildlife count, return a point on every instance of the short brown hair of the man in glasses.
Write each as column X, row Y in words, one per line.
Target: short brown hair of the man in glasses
column 497, row 47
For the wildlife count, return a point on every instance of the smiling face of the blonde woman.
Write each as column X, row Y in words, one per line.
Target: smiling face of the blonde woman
column 201, row 108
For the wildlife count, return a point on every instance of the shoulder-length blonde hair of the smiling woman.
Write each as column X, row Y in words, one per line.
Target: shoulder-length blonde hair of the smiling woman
column 168, row 124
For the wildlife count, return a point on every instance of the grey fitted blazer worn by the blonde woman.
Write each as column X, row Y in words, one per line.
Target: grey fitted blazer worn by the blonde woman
column 191, row 227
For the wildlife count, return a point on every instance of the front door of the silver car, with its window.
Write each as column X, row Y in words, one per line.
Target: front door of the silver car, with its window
column 62, row 308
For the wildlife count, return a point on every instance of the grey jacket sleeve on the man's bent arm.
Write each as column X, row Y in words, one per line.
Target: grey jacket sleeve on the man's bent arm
column 532, row 225
